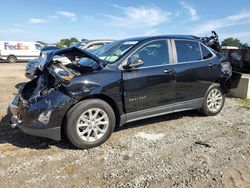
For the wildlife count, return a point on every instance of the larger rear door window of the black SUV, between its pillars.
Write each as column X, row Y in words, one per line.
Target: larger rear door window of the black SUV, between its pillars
column 187, row 51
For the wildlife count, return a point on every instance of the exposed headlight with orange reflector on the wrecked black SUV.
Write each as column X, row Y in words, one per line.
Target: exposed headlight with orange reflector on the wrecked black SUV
column 61, row 73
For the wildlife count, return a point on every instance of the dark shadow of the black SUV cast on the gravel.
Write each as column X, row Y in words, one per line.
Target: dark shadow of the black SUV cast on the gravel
column 17, row 138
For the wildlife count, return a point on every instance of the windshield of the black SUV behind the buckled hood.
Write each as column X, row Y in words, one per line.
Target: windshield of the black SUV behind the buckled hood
column 111, row 52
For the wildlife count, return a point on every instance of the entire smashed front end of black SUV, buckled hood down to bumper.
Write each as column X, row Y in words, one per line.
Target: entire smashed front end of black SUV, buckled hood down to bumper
column 40, row 105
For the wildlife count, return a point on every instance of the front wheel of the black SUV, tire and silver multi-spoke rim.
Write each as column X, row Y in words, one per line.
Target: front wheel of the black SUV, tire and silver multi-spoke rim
column 87, row 130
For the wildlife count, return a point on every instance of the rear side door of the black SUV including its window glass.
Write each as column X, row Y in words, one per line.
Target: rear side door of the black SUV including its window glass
column 196, row 69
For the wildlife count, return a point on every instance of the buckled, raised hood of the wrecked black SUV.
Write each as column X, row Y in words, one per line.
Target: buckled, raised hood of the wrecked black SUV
column 72, row 53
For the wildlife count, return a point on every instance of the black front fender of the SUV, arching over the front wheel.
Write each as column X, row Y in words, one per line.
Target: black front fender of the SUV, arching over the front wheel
column 104, row 83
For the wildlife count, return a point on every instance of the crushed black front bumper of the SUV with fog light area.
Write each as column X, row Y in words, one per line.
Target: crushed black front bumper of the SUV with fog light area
column 42, row 116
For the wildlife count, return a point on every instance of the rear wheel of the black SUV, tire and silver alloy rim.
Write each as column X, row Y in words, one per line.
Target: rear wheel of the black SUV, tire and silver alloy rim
column 214, row 100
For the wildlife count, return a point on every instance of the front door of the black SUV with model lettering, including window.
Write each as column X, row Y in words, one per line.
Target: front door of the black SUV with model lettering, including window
column 152, row 85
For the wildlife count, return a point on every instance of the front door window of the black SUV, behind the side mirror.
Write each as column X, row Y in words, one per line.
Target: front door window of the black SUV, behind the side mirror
column 153, row 54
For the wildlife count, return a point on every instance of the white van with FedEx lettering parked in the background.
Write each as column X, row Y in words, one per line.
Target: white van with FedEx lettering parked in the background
column 14, row 51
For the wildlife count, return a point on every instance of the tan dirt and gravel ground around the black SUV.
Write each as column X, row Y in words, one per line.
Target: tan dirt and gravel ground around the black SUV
column 179, row 150
